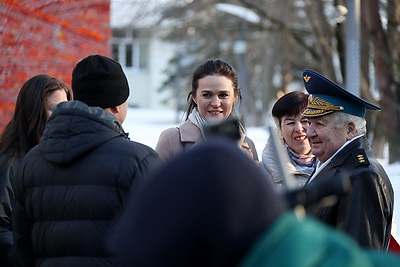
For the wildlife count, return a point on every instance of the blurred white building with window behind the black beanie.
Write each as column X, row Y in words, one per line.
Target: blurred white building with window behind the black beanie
column 138, row 47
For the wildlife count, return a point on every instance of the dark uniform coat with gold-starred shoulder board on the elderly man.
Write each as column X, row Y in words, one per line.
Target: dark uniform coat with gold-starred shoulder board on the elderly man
column 364, row 211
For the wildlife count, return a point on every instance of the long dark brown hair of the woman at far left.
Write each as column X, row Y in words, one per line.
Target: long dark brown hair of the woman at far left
column 26, row 126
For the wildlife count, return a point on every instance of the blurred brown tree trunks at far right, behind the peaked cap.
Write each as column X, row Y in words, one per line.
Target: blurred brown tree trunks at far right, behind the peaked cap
column 385, row 42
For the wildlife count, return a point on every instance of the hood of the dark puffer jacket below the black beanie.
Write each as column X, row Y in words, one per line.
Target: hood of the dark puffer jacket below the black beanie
column 74, row 129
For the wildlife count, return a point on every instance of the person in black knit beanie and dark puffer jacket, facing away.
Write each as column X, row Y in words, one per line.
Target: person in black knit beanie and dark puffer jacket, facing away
column 73, row 184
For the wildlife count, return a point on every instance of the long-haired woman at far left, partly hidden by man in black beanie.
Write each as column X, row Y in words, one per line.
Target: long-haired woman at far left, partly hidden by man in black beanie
column 35, row 102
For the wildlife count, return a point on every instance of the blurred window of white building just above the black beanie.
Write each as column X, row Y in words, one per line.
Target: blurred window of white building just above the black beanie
column 130, row 50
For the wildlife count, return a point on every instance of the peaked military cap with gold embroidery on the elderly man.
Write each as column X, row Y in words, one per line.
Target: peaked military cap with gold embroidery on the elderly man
column 327, row 97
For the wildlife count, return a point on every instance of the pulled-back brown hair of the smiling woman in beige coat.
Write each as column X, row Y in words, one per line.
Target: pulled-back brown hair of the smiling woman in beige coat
column 212, row 67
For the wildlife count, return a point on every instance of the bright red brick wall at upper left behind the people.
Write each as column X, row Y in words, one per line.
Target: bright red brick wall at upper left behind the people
column 47, row 37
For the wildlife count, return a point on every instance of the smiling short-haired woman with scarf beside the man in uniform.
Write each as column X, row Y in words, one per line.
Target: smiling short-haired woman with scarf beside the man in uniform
column 292, row 127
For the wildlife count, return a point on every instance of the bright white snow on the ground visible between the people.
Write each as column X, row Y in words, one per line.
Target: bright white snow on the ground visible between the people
column 145, row 126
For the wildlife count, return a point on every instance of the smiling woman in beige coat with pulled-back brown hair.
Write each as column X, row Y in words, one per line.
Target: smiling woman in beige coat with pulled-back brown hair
column 212, row 98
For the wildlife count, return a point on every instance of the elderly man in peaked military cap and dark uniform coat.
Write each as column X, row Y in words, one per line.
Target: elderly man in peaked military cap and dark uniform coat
column 336, row 131
